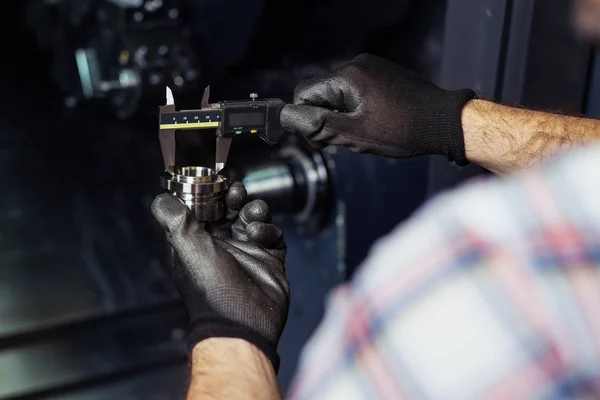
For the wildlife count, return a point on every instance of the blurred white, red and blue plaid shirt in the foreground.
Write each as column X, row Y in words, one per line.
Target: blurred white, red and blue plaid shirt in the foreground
column 491, row 291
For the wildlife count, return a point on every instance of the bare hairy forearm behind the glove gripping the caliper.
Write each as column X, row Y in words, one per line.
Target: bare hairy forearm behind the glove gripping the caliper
column 504, row 139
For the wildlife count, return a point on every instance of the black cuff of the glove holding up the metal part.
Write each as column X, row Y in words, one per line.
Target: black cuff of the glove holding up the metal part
column 229, row 329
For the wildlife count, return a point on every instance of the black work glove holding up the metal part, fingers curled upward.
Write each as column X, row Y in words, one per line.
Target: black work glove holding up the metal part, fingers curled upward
column 231, row 275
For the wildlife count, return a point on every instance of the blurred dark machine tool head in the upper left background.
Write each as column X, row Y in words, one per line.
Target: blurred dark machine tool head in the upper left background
column 117, row 53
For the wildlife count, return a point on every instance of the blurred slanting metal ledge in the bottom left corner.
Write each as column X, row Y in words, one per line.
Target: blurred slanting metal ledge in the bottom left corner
column 57, row 360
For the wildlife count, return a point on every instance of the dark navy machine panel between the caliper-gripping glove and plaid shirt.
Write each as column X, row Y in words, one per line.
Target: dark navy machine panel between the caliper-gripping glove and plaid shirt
column 373, row 195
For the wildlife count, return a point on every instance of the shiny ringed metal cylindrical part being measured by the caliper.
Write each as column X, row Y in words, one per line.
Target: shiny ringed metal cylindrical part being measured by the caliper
column 200, row 189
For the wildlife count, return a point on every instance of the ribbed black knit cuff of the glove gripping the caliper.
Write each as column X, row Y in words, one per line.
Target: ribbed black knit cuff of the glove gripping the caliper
column 438, row 122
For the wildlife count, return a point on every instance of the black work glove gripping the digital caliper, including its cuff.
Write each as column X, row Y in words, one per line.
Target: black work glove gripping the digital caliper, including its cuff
column 384, row 109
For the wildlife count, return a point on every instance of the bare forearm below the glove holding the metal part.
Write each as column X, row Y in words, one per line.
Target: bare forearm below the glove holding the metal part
column 225, row 368
